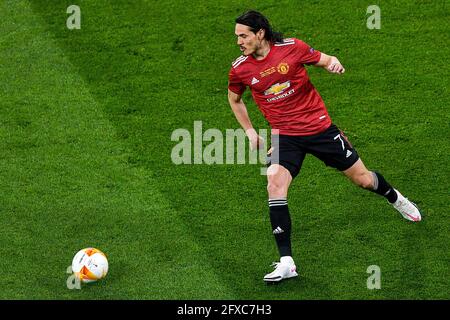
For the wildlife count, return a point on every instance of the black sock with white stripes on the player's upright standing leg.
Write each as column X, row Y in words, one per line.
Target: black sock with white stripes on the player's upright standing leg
column 281, row 225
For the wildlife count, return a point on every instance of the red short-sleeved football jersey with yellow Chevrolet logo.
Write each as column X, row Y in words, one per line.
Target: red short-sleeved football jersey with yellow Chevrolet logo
column 281, row 88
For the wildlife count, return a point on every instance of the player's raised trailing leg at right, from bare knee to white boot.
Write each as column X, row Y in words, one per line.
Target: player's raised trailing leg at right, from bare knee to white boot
column 375, row 182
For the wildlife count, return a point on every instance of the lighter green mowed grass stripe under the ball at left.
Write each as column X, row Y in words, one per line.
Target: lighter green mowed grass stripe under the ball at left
column 65, row 185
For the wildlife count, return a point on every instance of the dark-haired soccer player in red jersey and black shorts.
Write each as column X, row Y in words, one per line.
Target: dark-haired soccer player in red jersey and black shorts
column 274, row 70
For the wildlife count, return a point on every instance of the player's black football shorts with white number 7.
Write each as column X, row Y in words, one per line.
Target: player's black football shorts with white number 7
column 331, row 146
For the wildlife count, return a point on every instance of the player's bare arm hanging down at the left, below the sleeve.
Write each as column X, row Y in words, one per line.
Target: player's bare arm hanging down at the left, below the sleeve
column 240, row 111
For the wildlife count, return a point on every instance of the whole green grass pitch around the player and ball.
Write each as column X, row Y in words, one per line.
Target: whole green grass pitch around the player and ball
column 86, row 118
